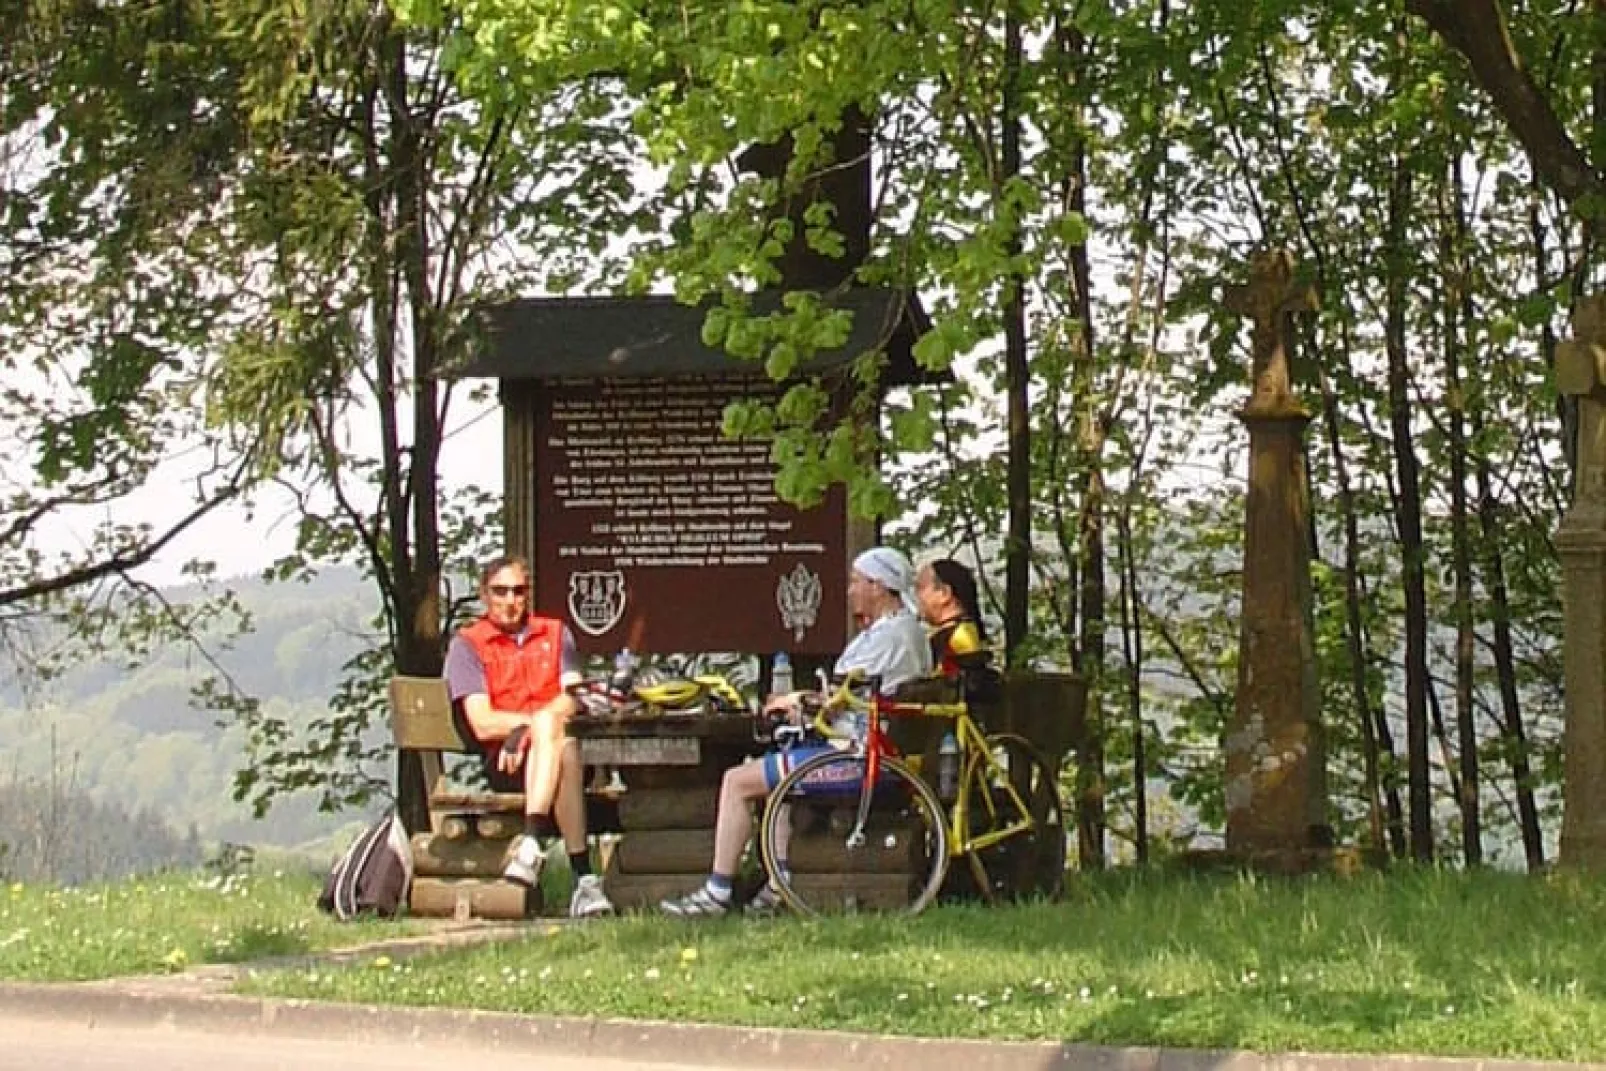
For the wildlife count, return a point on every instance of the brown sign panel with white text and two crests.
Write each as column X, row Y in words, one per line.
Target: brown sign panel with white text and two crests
column 656, row 532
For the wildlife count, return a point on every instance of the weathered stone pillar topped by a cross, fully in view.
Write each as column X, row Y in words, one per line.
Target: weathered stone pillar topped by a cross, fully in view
column 1276, row 759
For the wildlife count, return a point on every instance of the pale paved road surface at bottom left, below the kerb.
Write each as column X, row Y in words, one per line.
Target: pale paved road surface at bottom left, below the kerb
column 26, row 1043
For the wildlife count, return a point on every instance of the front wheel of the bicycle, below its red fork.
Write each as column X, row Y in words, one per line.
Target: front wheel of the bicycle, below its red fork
column 823, row 860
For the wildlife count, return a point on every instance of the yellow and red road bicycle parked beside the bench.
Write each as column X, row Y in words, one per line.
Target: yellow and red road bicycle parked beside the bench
column 900, row 839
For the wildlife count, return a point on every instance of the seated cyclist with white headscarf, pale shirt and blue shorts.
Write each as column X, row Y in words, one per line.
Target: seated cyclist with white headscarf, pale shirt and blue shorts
column 891, row 646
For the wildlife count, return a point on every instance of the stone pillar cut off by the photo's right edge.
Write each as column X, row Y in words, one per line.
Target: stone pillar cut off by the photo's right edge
column 1581, row 544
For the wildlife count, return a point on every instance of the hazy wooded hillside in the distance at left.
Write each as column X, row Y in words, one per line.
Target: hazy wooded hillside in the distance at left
column 129, row 743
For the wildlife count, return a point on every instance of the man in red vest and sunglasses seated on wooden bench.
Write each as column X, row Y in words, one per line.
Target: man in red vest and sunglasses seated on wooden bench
column 510, row 677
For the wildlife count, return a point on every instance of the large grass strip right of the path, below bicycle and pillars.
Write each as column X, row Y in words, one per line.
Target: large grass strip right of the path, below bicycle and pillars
column 1424, row 963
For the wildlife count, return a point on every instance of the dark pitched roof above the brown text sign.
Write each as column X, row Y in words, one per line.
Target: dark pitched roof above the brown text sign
column 606, row 338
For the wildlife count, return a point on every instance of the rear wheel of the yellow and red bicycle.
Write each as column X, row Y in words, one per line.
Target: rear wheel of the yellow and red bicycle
column 1014, row 808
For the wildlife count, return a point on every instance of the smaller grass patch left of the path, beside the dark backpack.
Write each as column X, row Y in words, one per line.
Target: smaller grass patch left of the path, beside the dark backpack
column 165, row 924
